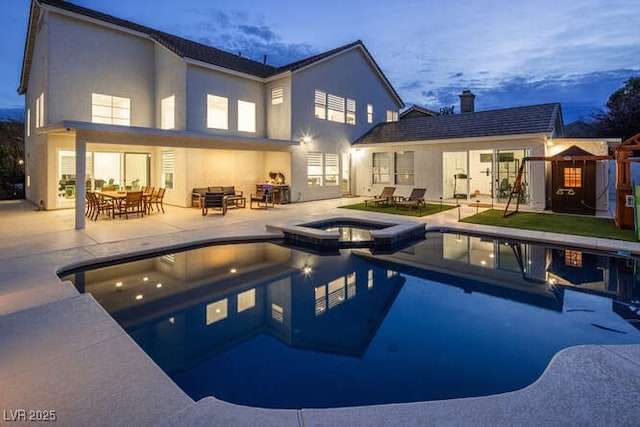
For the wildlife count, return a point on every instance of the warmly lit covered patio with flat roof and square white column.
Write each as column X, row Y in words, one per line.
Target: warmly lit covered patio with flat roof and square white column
column 196, row 159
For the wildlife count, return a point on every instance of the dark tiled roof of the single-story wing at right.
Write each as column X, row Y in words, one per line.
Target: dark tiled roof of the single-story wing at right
column 543, row 118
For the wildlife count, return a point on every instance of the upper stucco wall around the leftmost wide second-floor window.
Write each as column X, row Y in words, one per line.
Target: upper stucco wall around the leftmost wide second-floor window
column 86, row 58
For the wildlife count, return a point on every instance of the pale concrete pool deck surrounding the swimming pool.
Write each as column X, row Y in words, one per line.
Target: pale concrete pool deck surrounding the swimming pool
column 60, row 351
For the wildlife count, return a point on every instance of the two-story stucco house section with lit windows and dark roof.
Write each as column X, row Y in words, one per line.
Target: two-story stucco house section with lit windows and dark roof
column 112, row 102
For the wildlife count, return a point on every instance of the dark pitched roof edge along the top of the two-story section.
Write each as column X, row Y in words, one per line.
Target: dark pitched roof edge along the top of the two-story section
column 189, row 49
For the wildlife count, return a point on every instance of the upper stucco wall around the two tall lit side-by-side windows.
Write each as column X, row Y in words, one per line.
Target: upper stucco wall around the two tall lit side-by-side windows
column 202, row 81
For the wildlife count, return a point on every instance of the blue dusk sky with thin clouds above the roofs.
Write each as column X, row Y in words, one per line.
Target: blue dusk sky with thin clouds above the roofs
column 509, row 53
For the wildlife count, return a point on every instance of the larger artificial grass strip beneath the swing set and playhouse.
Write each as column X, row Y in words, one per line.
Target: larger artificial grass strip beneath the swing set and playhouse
column 564, row 224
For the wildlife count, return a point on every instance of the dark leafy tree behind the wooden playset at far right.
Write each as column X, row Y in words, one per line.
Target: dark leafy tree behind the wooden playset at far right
column 622, row 118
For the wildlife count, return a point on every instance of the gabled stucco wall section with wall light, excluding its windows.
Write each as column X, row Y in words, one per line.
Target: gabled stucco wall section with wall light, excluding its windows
column 348, row 75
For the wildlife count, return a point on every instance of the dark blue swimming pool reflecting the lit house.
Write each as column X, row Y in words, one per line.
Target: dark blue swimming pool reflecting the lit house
column 453, row 316
